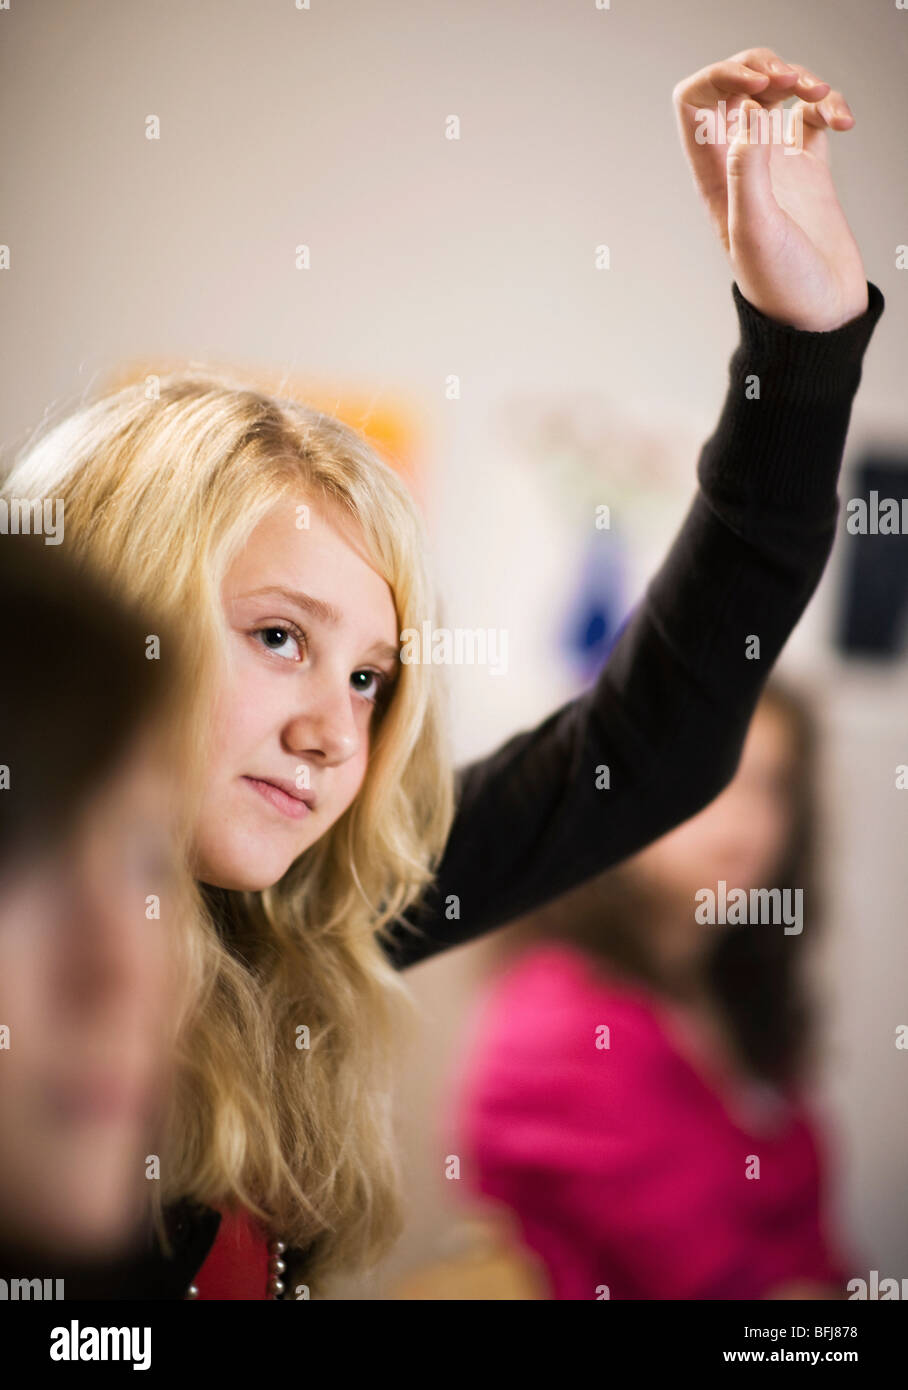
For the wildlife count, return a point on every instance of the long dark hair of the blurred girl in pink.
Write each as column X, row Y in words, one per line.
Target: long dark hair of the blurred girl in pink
column 757, row 978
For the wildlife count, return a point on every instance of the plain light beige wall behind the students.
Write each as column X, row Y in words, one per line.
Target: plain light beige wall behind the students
column 475, row 258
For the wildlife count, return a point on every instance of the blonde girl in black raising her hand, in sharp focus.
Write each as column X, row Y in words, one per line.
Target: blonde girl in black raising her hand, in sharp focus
column 329, row 836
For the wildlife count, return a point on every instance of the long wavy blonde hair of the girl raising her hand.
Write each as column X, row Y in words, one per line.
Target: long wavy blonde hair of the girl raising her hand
column 161, row 489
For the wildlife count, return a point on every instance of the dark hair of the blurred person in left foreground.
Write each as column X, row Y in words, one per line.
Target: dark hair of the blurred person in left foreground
column 76, row 687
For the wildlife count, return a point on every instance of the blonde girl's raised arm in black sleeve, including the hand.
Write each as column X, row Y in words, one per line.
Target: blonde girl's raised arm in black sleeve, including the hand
column 671, row 708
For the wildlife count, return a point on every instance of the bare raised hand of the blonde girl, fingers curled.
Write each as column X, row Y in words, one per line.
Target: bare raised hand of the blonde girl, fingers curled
column 775, row 206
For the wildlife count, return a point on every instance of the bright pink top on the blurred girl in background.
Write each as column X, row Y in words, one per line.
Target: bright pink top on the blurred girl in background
column 628, row 1166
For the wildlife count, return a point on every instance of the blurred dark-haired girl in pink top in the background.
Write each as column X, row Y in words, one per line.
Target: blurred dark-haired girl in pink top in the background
column 675, row 1157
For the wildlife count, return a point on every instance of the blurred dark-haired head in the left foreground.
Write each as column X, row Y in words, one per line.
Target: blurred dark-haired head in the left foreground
column 88, row 988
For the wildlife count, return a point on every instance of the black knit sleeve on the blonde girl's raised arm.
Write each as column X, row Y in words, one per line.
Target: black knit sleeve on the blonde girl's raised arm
column 671, row 708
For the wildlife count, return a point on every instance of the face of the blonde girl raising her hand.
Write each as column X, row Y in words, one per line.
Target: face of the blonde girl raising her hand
column 314, row 647
